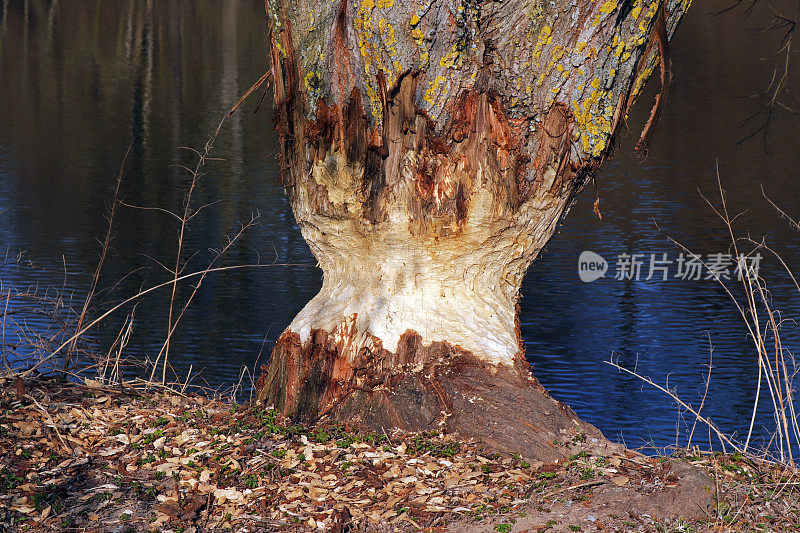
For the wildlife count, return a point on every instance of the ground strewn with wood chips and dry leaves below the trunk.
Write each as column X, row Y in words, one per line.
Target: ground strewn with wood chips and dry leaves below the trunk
column 78, row 458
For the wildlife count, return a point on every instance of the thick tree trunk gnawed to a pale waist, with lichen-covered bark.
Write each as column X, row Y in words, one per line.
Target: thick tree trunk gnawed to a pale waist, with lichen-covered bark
column 430, row 150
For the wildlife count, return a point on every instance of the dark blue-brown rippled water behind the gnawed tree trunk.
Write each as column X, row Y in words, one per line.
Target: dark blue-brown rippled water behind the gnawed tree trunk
column 79, row 82
